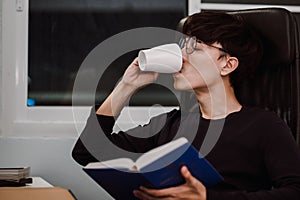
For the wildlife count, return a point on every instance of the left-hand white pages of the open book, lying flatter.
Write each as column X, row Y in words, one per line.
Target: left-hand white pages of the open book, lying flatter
column 116, row 163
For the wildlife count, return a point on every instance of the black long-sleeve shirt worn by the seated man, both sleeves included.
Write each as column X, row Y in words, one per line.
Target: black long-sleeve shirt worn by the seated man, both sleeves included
column 255, row 152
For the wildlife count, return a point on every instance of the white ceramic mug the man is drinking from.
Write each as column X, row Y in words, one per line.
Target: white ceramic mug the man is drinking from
column 163, row 59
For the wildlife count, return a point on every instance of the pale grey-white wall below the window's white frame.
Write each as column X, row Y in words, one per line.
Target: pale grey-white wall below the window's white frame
column 49, row 158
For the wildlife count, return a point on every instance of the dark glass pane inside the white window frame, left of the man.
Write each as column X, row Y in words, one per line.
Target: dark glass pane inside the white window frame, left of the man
column 62, row 33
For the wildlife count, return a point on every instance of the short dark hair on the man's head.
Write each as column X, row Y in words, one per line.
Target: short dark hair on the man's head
column 233, row 34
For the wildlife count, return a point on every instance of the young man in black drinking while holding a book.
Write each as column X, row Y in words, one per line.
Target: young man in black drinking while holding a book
column 255, row 152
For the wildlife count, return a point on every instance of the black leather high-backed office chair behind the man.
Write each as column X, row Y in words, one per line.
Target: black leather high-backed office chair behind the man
column 275, row 85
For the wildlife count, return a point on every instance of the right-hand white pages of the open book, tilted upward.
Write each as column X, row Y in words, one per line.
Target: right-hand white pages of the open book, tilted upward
column 159, row 152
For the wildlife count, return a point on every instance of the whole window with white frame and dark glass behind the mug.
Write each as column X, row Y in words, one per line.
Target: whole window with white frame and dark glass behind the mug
column 36, row 33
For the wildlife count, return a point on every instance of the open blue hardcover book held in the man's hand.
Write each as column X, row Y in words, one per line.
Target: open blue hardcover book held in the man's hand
column 157, row 168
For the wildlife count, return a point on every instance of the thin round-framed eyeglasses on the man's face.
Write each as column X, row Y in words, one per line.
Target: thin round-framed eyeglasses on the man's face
column 190, row 44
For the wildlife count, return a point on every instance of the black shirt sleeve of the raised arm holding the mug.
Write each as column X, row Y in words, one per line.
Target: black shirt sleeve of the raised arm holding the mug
column 97, row 140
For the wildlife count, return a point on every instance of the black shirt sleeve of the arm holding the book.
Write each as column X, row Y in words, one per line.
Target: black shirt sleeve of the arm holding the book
column 282, row 162
